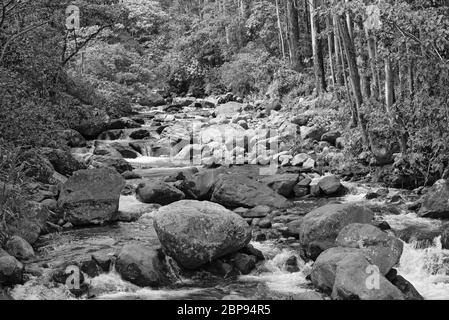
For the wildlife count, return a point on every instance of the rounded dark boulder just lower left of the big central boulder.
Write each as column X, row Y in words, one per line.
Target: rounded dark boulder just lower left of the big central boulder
column 141, row 265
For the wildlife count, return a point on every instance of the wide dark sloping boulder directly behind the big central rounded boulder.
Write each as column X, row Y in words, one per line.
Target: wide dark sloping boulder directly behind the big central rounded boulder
column 235, row 191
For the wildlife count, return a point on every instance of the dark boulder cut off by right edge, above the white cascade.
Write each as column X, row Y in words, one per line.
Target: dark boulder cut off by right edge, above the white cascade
column 436, row 204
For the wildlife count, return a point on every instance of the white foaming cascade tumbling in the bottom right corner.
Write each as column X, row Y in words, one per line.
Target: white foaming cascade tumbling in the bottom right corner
column 427, row 269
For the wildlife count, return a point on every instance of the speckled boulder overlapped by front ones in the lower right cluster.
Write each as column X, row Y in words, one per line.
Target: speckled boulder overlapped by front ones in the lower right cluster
column 379, row 247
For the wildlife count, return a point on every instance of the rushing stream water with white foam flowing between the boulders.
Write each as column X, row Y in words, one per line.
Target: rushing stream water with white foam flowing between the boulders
column 425, row 266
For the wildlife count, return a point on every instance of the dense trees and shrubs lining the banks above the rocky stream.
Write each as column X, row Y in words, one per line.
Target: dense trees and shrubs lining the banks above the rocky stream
column 385, row 65
